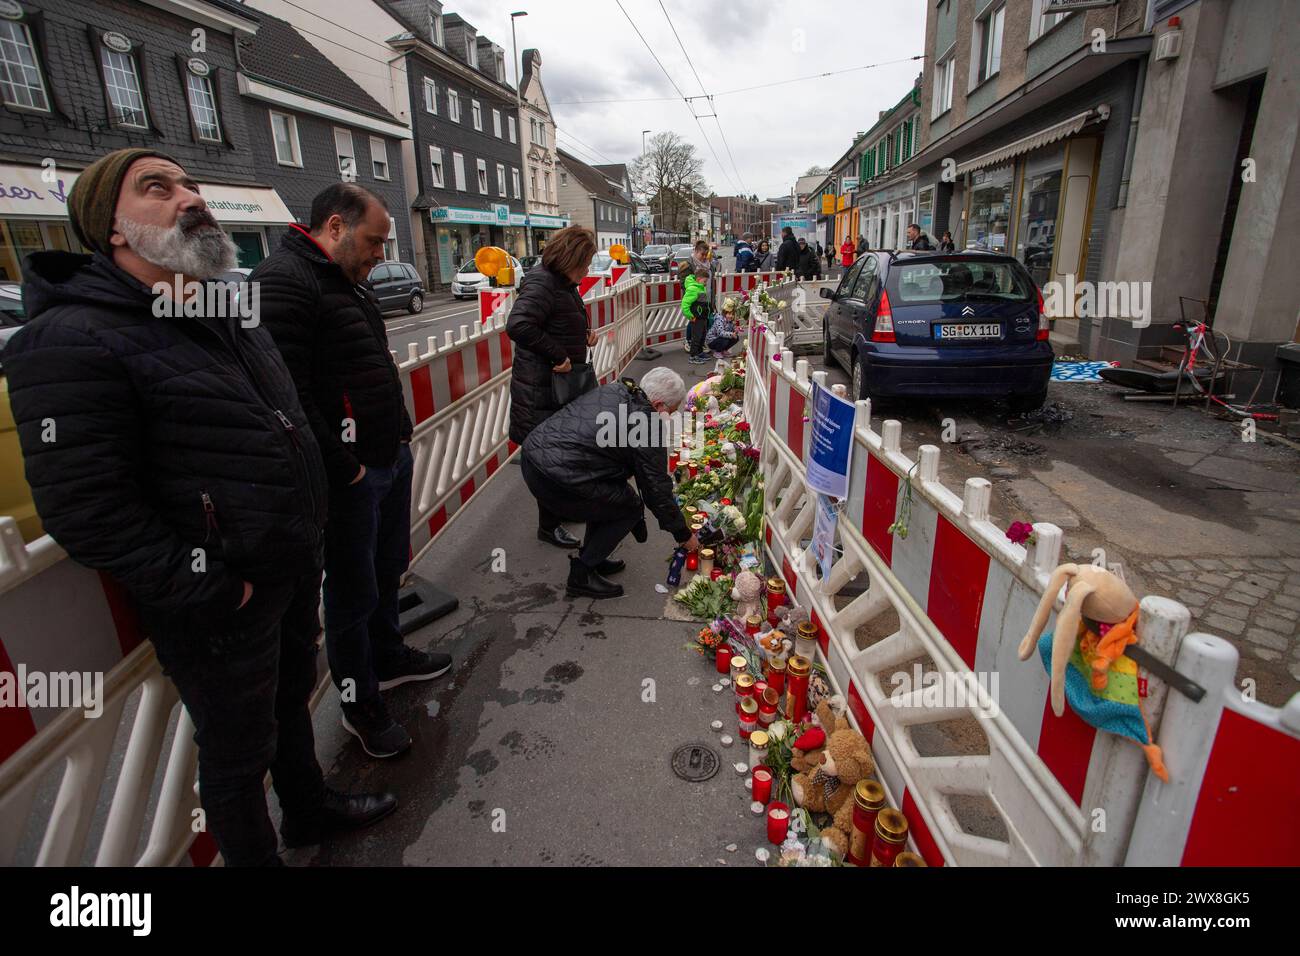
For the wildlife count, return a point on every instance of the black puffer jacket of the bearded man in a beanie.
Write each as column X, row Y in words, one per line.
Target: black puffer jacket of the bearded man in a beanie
column 168, row 435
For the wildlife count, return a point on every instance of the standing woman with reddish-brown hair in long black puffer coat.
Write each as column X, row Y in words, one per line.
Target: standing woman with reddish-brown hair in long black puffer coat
column 549, row 328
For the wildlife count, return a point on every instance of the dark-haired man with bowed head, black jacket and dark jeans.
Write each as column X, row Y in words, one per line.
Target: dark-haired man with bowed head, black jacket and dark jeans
column 330, row 330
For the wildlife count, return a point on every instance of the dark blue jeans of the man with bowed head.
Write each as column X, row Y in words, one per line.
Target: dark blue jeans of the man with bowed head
column 367, row 551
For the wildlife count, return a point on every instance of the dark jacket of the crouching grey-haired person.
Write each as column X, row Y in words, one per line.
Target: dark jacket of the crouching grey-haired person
column 569, row 449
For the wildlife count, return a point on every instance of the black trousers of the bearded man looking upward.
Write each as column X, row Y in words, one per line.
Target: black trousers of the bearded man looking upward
column 246, row 686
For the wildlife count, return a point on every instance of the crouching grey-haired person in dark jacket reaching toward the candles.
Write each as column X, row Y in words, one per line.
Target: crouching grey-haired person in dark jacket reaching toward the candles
column 578, row 464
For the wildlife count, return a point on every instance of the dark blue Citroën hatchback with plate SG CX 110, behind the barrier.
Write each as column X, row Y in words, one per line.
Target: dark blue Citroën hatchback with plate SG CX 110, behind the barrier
column 941, row 325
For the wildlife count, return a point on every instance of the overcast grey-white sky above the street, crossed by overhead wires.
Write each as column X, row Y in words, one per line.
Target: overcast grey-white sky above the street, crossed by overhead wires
column 592, row 53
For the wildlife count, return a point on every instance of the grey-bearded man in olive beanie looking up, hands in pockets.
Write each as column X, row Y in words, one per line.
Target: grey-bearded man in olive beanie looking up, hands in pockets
column 166, row 445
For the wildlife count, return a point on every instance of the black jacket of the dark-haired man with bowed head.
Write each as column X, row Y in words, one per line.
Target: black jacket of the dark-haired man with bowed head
column 332, row 336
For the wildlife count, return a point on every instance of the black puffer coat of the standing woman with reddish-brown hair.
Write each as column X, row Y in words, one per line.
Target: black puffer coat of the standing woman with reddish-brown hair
column 548, row 325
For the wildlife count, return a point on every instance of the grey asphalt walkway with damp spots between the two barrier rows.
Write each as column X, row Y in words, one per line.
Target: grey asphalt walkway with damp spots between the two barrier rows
column 541, row 746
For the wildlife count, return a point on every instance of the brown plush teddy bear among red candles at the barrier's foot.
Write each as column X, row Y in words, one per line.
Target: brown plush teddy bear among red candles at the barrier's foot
column 829, row 775
